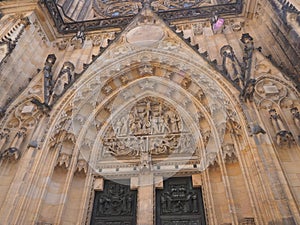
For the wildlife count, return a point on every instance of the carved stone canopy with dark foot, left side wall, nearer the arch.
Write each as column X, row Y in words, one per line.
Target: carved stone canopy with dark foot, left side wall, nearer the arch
column 14, row 150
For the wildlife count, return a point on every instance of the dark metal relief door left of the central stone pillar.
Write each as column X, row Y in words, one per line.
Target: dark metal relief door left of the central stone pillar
column 115, row 205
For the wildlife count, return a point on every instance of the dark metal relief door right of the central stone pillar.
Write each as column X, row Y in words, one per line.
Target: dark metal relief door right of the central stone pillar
column 179, row 203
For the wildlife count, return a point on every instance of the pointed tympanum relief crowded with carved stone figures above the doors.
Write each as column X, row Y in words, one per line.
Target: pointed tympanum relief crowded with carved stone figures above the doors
column 151, row 126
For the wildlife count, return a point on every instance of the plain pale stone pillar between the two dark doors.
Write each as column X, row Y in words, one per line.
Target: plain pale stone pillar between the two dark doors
column 145, row 199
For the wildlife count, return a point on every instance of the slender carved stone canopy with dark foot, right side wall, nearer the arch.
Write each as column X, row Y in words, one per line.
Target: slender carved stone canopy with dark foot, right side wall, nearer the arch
column 282, row 134
